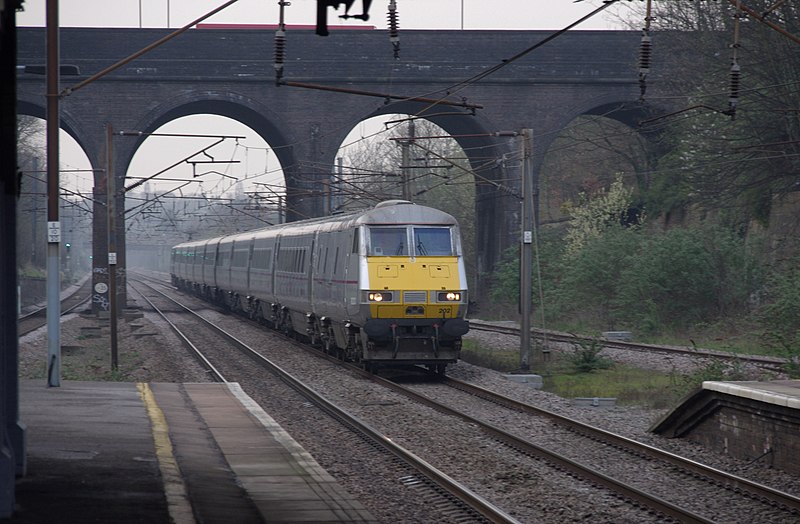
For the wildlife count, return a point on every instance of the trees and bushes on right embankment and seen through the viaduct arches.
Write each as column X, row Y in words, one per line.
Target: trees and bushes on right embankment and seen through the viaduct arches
column 683, row 228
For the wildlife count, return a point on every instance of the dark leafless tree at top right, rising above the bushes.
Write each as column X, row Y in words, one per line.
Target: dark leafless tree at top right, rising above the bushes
column 733, row 125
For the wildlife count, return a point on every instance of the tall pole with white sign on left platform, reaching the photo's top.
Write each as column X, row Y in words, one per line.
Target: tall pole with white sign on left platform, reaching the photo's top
column 53, row 224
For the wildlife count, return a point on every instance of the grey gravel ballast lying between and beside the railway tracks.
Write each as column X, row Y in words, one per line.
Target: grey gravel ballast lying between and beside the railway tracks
column 149, row 352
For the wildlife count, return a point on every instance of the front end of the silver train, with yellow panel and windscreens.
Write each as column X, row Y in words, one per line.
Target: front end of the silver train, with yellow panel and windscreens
column 413, row 286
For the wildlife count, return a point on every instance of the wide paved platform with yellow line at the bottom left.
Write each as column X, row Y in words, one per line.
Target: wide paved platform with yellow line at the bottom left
column 185, row 453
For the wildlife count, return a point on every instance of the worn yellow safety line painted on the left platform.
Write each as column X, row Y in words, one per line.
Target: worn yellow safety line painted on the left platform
column 178, row 505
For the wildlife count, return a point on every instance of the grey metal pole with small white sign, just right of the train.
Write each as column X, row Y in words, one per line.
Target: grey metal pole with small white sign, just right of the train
column 526, row 247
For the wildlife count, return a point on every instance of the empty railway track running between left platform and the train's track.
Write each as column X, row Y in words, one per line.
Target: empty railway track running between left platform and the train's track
column 449, row 492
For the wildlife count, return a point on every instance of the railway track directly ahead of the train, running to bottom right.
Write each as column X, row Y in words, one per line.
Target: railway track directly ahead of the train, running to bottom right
column 709, row 480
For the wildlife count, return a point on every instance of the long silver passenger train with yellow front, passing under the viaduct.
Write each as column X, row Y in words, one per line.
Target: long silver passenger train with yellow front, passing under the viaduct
column 382, row 287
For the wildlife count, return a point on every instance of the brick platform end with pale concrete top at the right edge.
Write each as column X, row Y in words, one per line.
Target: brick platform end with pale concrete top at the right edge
column 749, row 420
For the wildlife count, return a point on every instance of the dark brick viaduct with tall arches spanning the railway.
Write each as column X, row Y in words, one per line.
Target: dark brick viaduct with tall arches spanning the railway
column 230, row 73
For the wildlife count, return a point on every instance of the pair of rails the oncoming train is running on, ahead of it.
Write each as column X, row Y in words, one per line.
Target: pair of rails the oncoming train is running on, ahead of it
column 707, row 483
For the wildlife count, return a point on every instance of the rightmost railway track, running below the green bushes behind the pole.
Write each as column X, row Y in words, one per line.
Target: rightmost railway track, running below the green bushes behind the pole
column 548, row 336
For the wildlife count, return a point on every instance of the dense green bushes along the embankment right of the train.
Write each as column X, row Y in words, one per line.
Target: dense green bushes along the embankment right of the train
column 629, row 278
